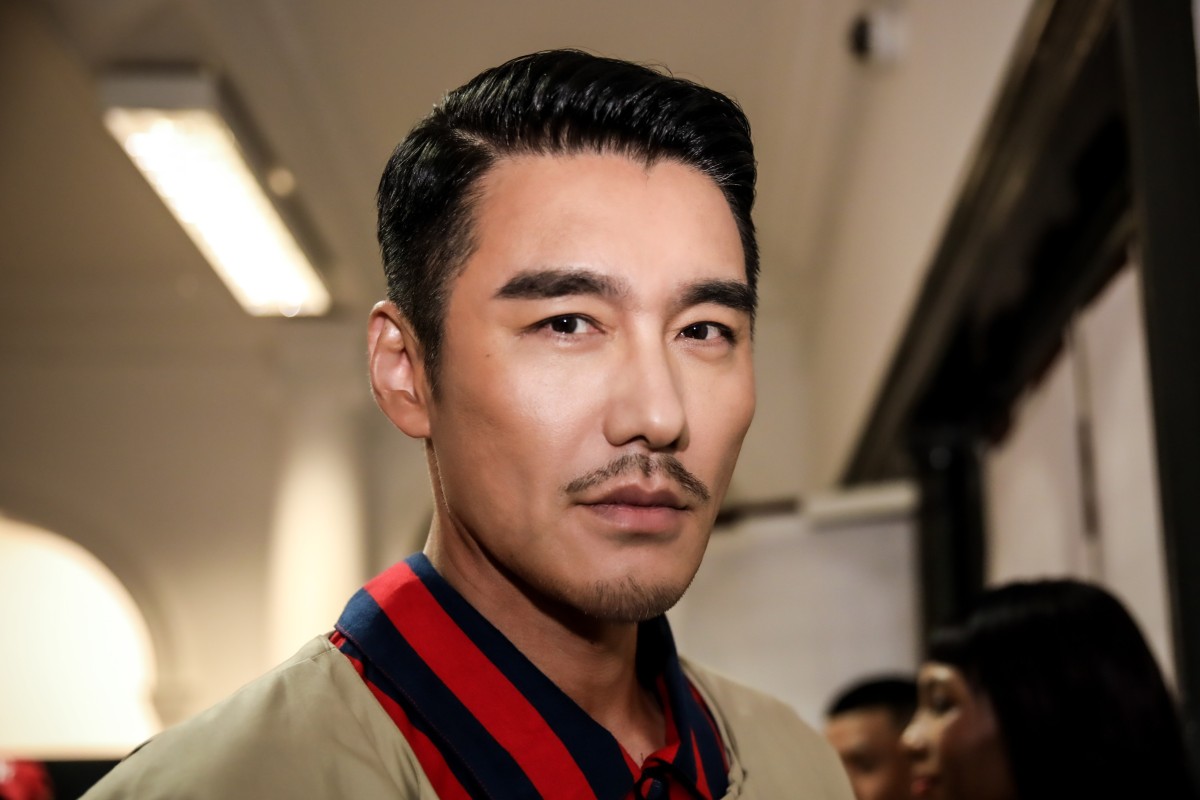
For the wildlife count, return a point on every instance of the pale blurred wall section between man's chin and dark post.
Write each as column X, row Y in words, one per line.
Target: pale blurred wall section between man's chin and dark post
column 803, row 606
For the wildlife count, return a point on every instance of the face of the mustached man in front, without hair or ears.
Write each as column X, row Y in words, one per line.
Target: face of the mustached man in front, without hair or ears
column 596, row 383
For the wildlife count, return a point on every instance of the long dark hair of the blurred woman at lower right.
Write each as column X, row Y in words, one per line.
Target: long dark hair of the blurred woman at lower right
column 1081, row 702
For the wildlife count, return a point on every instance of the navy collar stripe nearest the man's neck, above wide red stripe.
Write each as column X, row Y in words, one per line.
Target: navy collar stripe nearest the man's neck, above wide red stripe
column 597, row 751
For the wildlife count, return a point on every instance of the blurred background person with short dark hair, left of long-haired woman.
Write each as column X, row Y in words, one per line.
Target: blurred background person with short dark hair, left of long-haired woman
column 865, row 724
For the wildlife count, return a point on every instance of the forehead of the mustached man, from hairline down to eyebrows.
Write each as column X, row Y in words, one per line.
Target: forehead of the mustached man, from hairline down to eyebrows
column 560, row 225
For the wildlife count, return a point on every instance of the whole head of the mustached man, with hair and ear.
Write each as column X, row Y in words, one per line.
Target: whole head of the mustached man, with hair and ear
column 572, row 269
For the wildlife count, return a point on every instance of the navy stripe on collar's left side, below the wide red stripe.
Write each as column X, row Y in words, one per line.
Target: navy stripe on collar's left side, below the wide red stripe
column 475, row 756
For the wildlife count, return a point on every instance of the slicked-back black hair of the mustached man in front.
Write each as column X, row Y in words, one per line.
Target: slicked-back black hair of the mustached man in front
column 545, row 104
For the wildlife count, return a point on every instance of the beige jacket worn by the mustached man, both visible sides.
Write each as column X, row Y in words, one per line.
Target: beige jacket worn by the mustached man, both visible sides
column 311, row 729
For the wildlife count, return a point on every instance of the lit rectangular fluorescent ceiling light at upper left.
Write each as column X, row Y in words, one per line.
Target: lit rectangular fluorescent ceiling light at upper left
column 173, row 130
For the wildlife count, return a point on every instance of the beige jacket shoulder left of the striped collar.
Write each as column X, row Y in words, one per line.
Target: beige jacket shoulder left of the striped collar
column 308, row 729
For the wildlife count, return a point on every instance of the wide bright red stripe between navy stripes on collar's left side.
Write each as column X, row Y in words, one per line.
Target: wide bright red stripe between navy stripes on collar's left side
column 481, row 687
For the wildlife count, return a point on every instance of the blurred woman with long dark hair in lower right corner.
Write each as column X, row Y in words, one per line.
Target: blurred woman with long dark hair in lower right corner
column 1047, row 691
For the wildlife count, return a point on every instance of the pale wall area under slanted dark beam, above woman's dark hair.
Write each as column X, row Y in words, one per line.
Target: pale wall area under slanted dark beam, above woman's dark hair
column 1036, row 486
